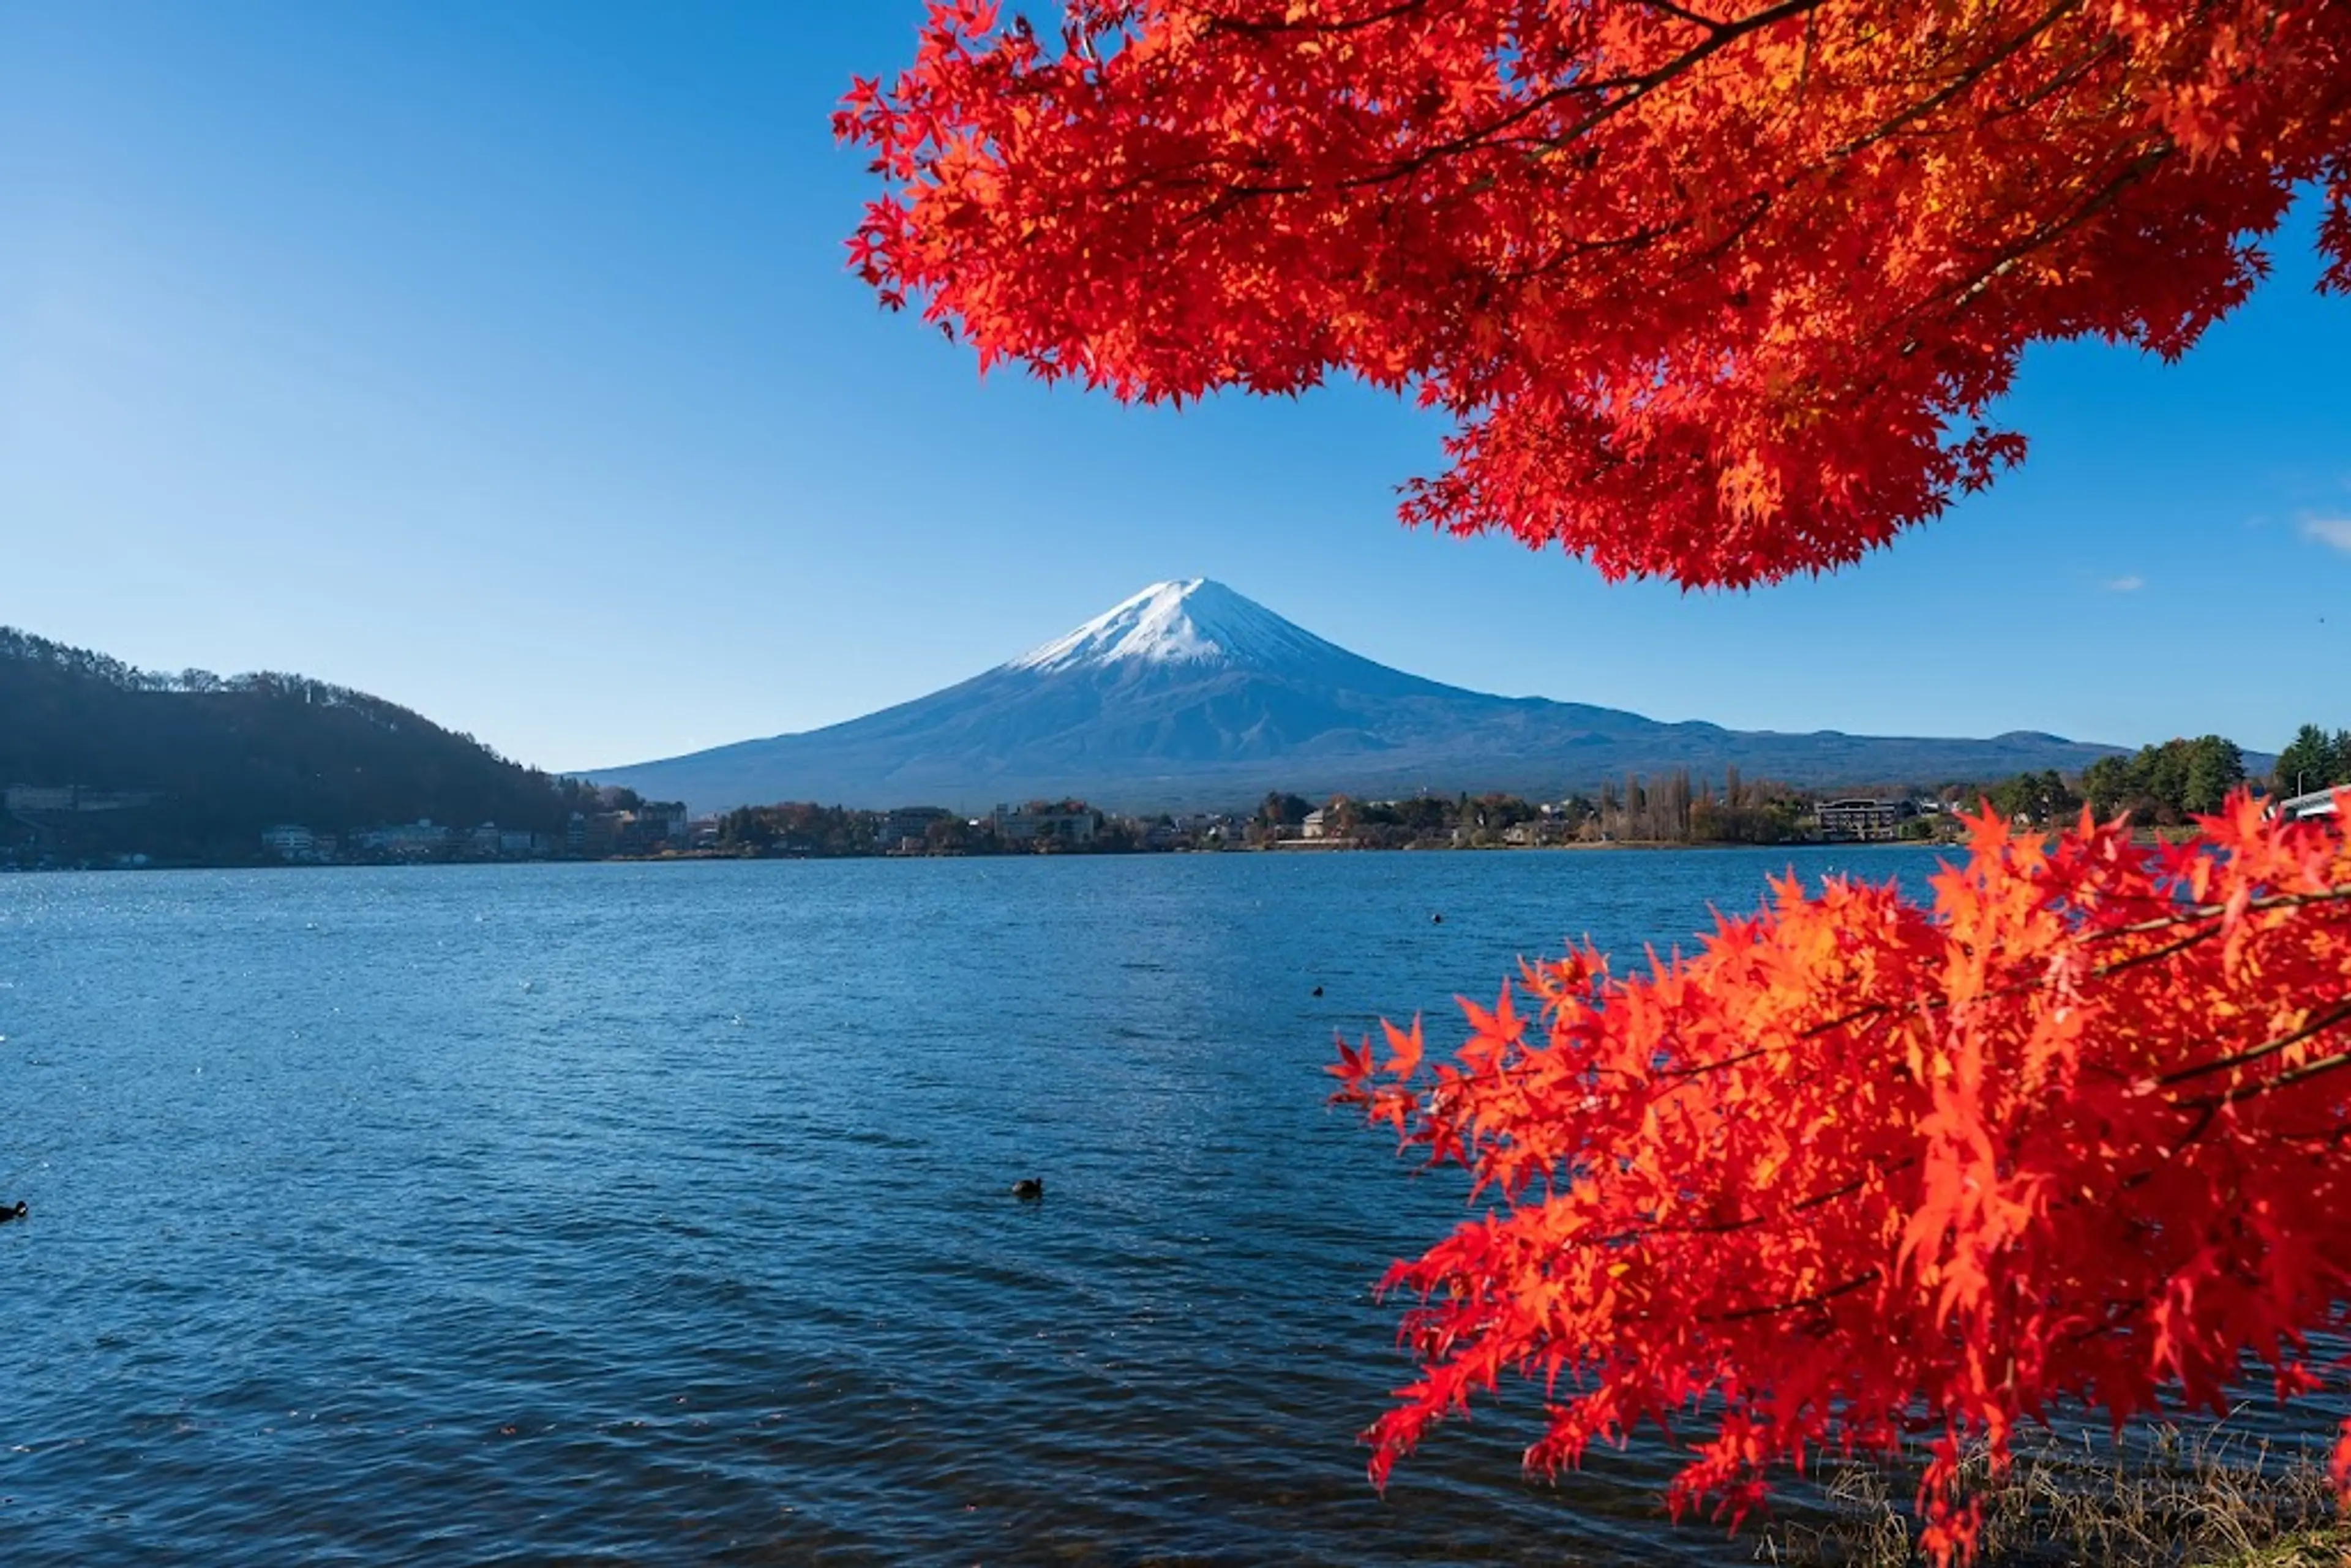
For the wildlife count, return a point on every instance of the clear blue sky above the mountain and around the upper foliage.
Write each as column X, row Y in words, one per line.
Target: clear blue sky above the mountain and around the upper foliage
column 502, row 361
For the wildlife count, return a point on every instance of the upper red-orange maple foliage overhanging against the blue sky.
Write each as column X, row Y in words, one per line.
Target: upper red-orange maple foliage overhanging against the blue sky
column 1717, row 290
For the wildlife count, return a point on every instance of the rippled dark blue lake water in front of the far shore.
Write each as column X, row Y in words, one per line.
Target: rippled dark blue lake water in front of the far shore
column 659, row 1212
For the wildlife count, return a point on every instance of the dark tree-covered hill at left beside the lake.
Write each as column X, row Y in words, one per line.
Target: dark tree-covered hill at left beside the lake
column 213, row 763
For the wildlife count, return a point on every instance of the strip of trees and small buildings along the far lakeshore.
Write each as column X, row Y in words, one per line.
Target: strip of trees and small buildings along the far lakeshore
column 2162, row 789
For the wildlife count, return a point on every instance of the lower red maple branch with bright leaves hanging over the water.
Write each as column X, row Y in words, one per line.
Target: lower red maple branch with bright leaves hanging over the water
column 1866, row 1174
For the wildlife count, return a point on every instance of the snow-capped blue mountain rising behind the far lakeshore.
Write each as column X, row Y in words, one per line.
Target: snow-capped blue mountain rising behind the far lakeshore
column 1193, row 697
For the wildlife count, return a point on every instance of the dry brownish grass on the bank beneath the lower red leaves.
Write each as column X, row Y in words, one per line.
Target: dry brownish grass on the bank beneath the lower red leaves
column 2171, row 1499
